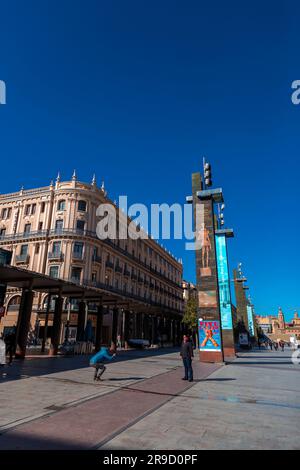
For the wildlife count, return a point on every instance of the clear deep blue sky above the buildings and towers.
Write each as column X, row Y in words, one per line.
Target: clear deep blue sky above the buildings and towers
column 139, row 91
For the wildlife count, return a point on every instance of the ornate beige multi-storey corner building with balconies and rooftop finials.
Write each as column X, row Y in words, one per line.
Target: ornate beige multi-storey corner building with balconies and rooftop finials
column 52, row 230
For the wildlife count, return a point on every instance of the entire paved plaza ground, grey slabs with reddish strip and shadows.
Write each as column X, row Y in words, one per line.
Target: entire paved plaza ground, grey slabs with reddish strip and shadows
column 53, row 403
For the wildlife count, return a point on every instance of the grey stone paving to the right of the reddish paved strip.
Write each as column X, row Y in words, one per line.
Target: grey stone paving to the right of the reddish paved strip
column 252, row 403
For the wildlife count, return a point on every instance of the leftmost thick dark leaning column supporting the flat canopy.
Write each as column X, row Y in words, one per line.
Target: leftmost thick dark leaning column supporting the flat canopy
column 23, row 324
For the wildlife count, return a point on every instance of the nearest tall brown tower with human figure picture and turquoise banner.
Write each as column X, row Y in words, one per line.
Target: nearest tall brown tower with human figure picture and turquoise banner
column 215, row 336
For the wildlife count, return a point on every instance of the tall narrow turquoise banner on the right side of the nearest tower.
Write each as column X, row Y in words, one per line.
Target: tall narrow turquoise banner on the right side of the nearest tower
column 224, row 286
